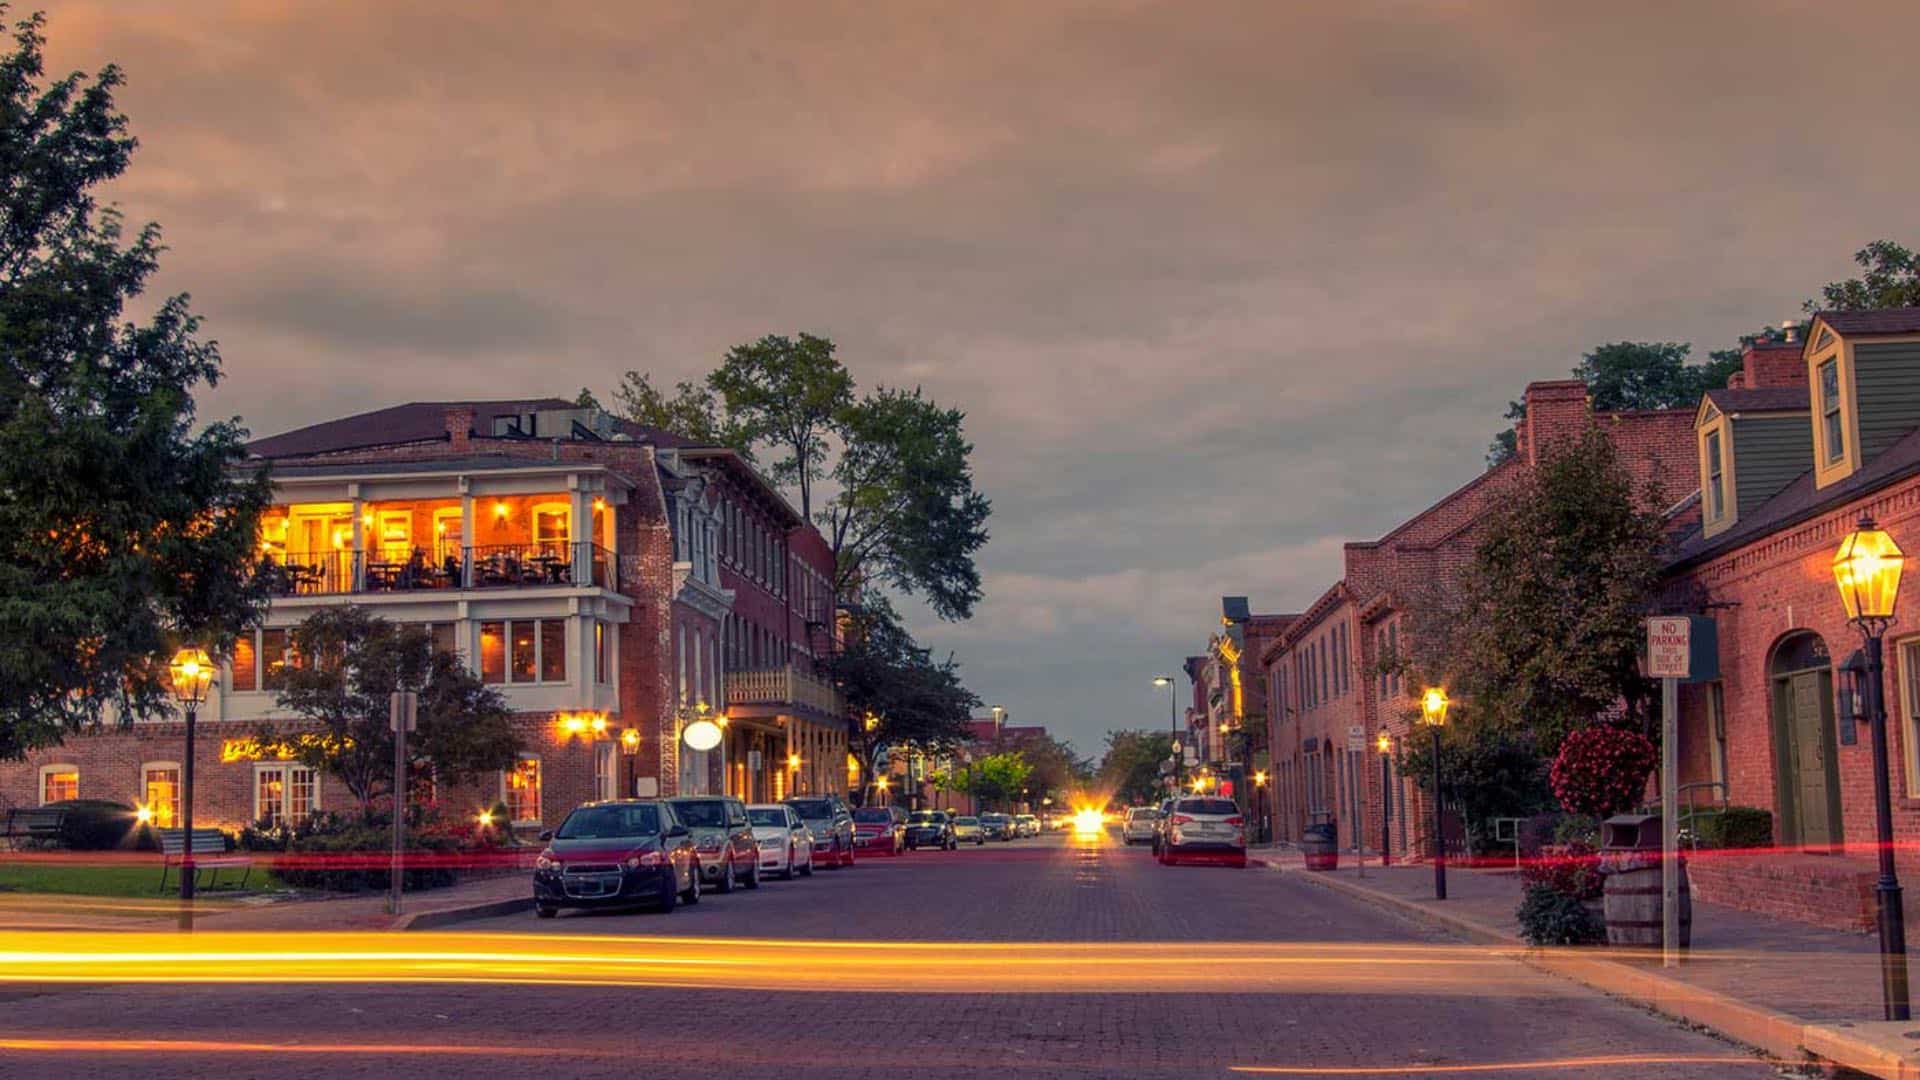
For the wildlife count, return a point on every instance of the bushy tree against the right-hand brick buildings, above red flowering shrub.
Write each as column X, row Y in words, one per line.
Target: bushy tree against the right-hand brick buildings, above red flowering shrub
column 1543, row 631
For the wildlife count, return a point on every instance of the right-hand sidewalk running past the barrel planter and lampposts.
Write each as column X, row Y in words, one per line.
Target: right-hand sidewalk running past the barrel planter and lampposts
column 1783, row 987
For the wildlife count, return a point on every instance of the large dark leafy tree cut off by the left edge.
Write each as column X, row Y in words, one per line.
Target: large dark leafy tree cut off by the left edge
column 122, row 529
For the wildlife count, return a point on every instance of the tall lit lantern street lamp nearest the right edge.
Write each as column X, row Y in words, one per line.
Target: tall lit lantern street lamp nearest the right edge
column 1869, row 576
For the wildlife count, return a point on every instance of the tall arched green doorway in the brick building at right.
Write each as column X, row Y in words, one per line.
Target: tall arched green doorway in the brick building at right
column 1806, row 762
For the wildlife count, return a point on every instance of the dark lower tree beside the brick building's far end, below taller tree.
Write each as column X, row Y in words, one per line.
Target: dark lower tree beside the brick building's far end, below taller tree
column 898, row 693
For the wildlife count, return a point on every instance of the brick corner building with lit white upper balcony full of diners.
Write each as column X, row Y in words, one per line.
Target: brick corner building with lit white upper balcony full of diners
column 583, row 566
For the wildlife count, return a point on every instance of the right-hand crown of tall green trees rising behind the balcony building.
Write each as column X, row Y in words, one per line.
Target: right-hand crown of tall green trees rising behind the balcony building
column 907, row 514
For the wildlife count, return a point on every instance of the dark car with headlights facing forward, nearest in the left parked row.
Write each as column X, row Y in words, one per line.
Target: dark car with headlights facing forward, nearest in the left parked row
column 617, row 854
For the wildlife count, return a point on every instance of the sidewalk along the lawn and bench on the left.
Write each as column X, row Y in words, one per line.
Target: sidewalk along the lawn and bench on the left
column 360, row 912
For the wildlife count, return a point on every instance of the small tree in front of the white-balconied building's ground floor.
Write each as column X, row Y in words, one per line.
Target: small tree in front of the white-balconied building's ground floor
column 350, row 666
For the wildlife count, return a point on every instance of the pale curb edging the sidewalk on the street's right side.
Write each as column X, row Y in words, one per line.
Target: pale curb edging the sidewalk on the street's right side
column 1781, row 1035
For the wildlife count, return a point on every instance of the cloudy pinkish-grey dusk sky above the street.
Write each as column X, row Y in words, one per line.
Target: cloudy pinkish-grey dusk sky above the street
column 1218, row 285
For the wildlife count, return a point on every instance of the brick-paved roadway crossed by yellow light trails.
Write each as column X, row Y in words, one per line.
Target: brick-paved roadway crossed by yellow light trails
column 1034, row 891
